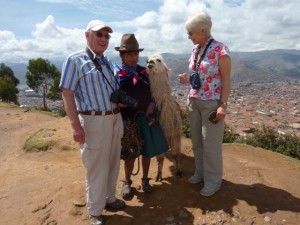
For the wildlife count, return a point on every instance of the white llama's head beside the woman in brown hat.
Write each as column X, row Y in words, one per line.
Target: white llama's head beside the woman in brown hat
column 156, row 66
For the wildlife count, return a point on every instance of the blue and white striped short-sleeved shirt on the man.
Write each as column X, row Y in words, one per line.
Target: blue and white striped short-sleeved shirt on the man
column 91, row 89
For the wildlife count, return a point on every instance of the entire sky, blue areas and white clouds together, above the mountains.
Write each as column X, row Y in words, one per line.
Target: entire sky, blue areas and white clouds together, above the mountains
column 53, row 29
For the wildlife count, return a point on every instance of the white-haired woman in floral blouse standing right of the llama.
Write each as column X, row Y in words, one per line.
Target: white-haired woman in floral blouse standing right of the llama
column 210, row 67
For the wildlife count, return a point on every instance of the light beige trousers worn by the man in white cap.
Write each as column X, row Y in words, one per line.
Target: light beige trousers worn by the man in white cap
column 101, row 158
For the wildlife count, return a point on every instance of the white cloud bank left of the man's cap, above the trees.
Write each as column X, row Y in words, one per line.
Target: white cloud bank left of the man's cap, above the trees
column 49, row 41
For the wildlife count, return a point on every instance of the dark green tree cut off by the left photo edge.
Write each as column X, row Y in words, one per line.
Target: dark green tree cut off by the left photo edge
column 8, row 84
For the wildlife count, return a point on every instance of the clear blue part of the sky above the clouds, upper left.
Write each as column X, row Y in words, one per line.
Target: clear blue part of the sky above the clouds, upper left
column 67, row 13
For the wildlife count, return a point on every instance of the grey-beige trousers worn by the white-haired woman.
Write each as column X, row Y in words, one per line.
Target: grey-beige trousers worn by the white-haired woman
column 207, row 139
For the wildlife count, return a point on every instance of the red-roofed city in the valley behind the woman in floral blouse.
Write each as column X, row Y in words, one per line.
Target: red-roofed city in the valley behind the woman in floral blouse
column 253, row 105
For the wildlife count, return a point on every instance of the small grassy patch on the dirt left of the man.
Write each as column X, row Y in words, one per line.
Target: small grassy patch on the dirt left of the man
column 35, row 142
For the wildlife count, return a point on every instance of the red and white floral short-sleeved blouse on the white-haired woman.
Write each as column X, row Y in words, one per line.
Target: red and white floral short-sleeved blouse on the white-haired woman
column 210, row 74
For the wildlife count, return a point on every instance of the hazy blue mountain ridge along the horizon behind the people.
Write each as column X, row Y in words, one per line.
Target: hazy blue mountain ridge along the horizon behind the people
column 247, row 67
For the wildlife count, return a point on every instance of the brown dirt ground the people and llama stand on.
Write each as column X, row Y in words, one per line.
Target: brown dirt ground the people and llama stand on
column 39, row 188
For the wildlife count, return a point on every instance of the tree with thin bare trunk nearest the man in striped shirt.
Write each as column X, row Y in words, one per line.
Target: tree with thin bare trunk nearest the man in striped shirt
column 41, row 76
